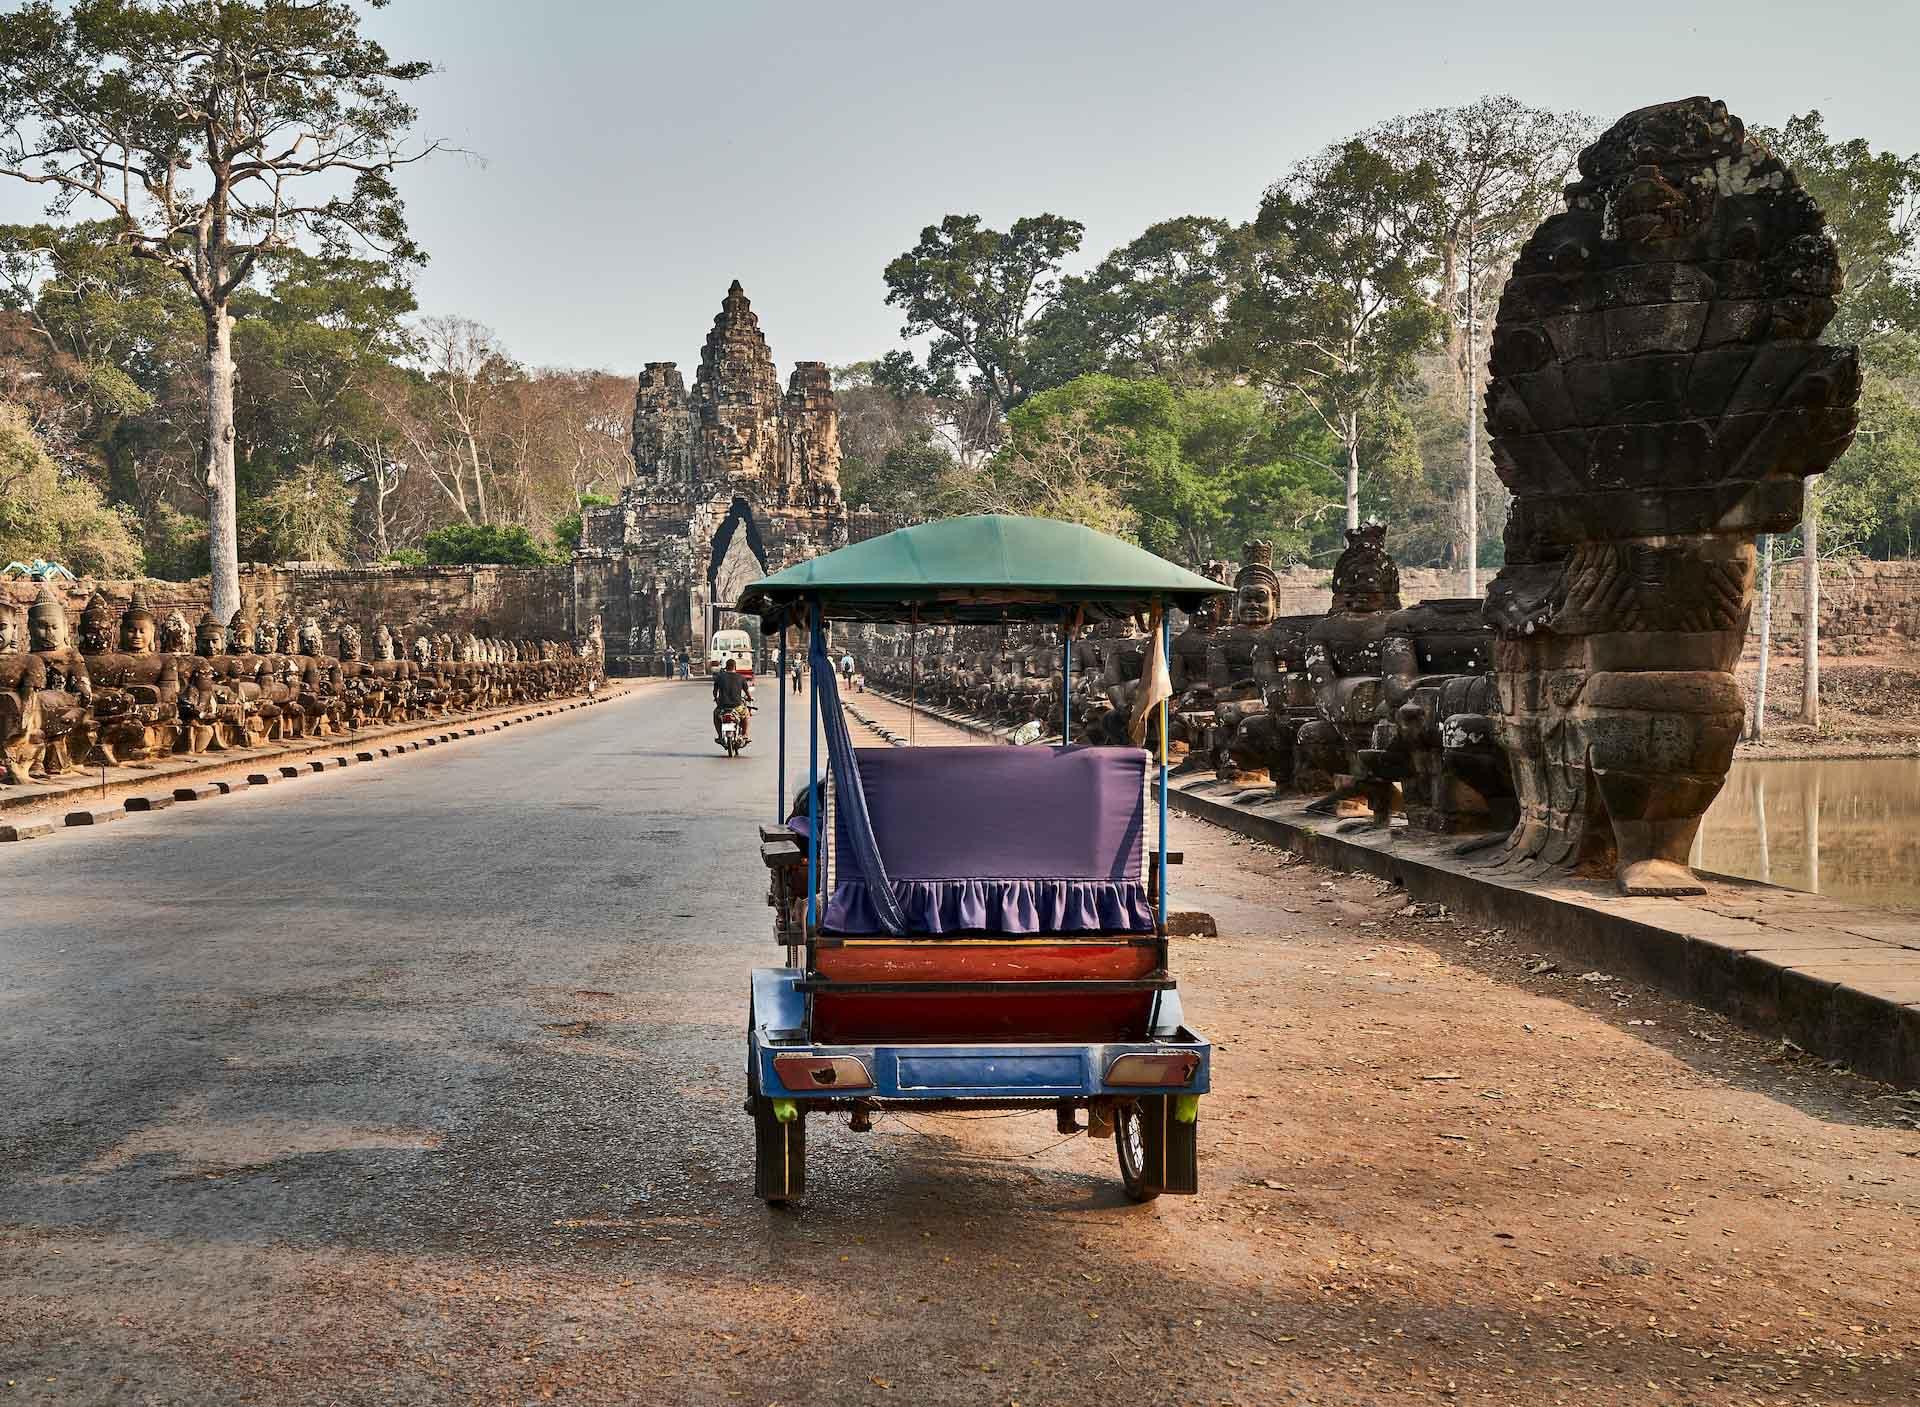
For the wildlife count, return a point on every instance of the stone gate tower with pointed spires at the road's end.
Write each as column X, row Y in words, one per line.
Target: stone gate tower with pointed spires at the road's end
column 732, row 481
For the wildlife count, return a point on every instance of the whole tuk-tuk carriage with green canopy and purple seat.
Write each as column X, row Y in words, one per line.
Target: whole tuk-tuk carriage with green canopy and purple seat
column 974, row 928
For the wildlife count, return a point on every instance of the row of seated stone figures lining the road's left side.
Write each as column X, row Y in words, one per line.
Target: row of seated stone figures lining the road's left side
column 130, row 688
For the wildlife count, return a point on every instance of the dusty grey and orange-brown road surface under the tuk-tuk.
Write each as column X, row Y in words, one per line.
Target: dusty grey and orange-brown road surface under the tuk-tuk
column 423, row 1084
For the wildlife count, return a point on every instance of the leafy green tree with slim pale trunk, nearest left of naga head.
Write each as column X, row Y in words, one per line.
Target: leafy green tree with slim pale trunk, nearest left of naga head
column 1335, row 310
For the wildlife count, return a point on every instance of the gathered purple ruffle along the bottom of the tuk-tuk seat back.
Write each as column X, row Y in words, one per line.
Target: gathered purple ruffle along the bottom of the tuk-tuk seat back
column 1022, row 907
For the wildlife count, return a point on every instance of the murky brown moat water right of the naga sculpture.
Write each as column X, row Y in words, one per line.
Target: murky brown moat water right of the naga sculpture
column 1850, row 830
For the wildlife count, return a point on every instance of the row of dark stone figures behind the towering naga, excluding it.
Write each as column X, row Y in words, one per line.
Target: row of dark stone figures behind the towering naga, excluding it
column 1368, row 703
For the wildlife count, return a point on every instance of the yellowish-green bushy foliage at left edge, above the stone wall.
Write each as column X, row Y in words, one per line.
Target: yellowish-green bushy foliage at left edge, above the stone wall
column 45, row 513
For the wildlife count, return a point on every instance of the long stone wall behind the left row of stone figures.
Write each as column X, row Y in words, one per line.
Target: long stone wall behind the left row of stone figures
column 506, row 602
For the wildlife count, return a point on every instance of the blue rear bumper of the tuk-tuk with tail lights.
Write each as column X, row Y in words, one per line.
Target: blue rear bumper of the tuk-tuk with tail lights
column 788, row 1066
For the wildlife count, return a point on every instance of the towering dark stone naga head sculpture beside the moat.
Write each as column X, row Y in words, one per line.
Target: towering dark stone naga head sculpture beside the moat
column 1658, row 398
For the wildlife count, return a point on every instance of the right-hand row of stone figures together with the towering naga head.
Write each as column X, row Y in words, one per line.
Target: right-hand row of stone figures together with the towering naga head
column 1658, row 396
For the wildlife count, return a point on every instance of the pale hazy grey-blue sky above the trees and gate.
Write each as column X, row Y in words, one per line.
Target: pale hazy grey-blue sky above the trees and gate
column 631, row 158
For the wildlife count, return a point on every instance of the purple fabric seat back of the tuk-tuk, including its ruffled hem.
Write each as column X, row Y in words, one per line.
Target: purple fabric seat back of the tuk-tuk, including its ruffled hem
column 1001, row 840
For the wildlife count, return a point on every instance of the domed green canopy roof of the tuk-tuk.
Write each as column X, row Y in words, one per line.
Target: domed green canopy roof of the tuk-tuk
column 982, row 569
